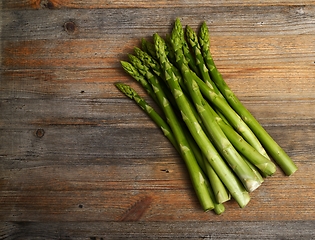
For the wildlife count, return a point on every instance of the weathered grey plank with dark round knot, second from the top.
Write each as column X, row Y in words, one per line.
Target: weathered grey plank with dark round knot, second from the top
column 136, row 23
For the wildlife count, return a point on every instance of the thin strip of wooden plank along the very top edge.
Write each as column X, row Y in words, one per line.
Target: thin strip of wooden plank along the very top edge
column 55, row 4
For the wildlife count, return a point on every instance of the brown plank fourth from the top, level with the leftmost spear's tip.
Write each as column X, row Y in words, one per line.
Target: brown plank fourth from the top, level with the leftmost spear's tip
column 249, row 84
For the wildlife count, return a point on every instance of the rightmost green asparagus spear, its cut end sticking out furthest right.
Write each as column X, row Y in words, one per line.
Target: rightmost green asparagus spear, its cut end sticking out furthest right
column 271, row 146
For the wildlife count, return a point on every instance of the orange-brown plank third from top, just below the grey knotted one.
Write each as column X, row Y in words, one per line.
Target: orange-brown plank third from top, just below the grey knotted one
column 246, row 53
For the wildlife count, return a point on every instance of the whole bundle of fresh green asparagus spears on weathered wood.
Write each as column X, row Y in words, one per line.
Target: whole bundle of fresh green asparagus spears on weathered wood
column 225, row 149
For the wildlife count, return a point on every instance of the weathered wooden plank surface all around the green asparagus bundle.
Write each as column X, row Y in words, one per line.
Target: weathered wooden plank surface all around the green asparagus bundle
column 78, row 160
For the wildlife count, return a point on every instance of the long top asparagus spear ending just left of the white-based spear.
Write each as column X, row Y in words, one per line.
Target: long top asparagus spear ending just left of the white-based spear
column 233, row 184
